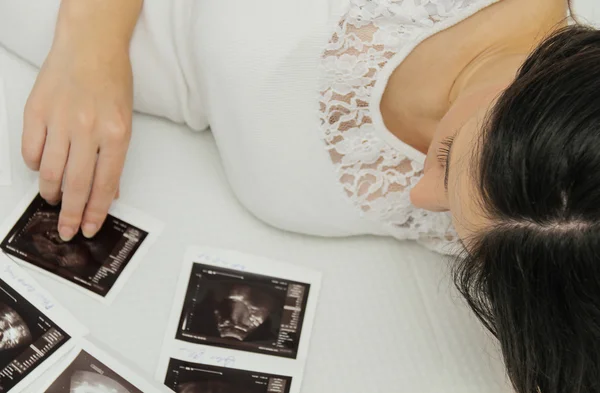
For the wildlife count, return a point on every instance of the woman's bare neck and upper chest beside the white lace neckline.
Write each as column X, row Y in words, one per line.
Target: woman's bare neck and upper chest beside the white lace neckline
column 490, row 48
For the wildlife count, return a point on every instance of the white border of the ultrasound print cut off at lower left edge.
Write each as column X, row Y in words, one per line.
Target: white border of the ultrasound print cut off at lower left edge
column 18, row 279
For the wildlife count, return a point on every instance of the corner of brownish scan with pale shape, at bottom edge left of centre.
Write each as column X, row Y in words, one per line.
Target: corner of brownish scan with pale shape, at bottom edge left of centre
column 88, row 375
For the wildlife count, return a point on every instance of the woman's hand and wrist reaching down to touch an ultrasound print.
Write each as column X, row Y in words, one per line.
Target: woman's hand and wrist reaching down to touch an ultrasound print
column 77, row 121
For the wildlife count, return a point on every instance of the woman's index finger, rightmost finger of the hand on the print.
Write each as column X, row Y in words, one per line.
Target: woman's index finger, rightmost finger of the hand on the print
column 104, row 188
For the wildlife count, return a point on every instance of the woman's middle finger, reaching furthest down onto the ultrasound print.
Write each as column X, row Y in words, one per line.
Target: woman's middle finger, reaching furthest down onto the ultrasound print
column 78, row 180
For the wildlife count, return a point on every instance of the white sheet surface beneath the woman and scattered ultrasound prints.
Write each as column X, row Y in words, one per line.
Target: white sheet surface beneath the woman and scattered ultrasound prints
column 388, row 318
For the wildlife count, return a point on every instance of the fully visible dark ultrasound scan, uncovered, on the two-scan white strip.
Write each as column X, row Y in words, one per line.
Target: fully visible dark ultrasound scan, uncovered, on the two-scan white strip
column 245, row 311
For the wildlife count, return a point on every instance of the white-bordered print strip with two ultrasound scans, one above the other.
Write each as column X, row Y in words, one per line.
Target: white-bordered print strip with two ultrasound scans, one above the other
column 245, row 318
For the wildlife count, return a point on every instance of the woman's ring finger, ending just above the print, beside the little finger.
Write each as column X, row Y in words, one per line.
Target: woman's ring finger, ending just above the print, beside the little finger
column 52, row 167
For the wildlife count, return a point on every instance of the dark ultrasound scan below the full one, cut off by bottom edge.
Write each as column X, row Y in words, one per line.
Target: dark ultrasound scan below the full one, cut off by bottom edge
column 186, row 377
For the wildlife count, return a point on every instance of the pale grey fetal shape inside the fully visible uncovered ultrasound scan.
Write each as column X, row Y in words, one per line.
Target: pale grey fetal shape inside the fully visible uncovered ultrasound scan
column 242, row 310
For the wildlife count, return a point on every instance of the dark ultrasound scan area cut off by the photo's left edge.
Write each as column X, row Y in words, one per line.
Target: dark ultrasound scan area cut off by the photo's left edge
column 27, row 337
